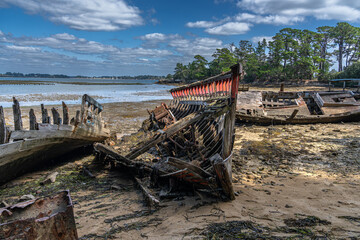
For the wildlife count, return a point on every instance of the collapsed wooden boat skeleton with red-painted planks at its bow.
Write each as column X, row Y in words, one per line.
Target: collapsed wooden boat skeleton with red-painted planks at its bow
column 187, row 144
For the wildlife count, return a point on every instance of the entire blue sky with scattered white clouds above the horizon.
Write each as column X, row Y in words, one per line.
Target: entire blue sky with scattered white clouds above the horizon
column 134, row 37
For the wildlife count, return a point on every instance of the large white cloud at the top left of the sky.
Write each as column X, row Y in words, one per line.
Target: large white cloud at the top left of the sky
column 93, row 15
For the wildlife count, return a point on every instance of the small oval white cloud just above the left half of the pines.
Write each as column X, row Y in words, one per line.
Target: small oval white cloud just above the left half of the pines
column 230, row 28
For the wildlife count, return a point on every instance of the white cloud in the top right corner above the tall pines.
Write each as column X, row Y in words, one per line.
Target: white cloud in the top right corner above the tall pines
column 343, row 10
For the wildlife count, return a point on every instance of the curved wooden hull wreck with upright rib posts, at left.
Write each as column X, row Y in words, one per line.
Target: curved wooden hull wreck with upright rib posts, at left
column 22, row 150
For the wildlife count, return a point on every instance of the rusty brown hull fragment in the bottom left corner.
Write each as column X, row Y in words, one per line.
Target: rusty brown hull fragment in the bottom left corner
column 43, row 218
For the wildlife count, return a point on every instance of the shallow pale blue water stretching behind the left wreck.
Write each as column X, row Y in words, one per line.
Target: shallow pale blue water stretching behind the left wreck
column 55, row 92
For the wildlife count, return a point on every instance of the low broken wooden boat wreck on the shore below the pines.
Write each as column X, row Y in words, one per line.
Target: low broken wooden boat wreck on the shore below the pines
column 297, row 107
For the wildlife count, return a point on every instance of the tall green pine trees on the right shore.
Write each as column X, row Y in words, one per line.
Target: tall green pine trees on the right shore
column 292, row 54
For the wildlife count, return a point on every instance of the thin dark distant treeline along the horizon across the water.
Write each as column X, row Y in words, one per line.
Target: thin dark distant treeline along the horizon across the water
column 41, row 75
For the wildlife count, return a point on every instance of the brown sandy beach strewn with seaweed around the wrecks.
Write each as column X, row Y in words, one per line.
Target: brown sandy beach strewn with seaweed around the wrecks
column 298, row 182
